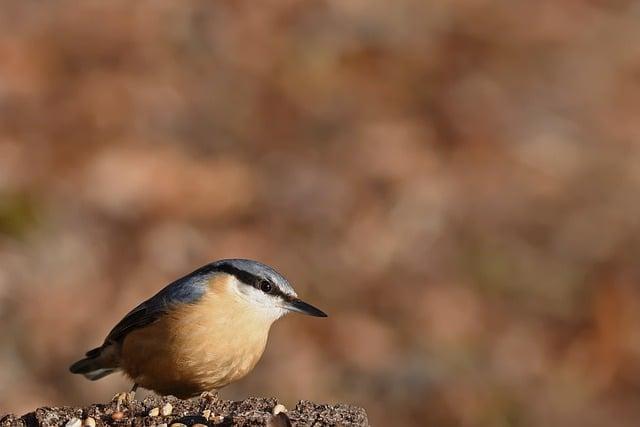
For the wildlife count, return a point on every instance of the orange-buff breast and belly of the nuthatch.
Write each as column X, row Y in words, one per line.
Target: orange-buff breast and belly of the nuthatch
column 197, row 347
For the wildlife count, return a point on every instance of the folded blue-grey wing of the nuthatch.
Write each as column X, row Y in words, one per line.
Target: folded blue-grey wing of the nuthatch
column 186, row 290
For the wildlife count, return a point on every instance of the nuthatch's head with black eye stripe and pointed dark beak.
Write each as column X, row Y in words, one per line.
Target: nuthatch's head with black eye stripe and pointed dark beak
column 262, row 287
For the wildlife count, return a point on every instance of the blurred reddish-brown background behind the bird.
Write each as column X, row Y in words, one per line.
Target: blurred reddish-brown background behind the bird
column 455, row 182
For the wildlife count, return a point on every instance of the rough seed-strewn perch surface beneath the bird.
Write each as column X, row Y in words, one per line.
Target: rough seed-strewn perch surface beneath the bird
column 250, row 412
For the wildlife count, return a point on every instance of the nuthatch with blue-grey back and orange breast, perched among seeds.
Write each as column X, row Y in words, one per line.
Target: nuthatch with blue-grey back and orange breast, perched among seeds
column 200, row 333
